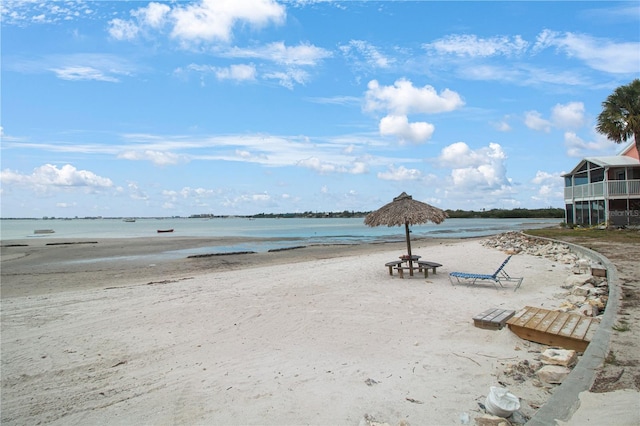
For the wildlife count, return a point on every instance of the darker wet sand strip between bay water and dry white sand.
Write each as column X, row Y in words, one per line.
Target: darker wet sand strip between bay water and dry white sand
column 42, row 268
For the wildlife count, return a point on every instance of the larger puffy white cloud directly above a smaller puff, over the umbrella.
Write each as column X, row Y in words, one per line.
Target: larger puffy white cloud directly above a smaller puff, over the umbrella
column 403, row 98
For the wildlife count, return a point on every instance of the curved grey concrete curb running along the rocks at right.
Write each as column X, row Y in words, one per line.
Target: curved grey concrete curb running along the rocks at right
column 565, row 400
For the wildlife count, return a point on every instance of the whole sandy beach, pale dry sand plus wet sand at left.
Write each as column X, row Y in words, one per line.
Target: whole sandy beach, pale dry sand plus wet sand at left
column 316, row 335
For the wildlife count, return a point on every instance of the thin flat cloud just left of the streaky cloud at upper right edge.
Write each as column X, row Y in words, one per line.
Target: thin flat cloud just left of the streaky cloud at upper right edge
column 473, row 46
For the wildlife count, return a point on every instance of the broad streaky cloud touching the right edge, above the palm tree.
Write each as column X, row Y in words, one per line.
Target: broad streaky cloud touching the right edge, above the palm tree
column 600, row 54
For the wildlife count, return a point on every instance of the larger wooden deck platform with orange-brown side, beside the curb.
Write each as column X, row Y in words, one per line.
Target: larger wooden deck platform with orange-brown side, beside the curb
column 554, row 328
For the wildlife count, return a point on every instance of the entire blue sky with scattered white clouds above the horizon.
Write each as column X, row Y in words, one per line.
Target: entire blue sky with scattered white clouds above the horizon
column 137, row 108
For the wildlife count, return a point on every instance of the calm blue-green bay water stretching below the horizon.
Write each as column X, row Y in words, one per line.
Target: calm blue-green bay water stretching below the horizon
column 304, row 231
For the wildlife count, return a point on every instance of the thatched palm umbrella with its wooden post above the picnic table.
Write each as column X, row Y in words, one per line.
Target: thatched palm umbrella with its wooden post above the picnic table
column 404, row 210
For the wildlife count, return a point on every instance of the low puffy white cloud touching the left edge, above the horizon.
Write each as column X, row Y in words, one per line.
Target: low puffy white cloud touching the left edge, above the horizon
column 49, row 176
